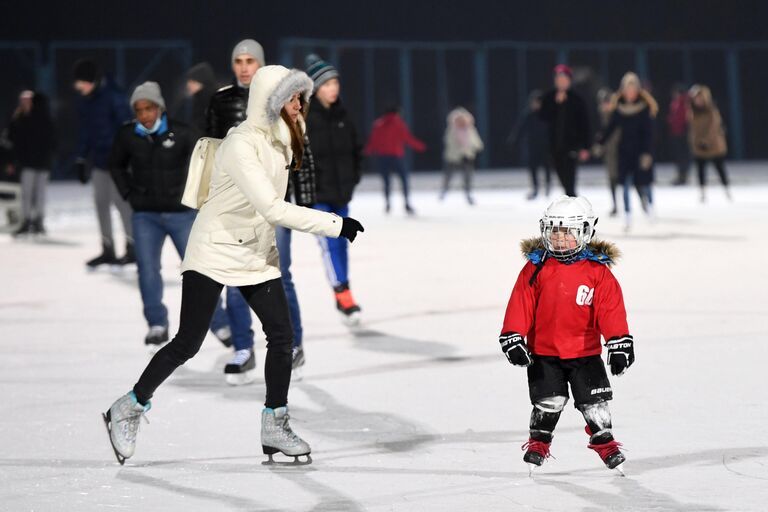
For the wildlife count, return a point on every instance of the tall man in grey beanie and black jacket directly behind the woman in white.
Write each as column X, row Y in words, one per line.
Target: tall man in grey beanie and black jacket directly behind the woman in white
column 226, row 110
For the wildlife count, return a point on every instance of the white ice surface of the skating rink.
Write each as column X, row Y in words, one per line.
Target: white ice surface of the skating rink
column 416, row 410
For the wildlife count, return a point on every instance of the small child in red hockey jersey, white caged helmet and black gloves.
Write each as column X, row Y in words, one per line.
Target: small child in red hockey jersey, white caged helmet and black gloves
column 564, row 300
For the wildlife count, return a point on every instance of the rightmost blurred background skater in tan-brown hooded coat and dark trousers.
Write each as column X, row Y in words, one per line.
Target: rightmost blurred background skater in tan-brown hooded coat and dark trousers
column 706, row 137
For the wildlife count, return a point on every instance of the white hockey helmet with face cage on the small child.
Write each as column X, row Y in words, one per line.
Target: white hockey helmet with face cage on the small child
column 572, row 215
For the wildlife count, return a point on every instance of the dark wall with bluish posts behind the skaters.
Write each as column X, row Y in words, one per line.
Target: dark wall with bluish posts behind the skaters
column 211, row 28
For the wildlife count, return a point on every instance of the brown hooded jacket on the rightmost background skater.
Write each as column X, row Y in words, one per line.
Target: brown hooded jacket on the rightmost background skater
column 706, row 135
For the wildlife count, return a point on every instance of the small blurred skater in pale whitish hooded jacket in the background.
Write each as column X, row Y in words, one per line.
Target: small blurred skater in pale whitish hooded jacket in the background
column 462, row 143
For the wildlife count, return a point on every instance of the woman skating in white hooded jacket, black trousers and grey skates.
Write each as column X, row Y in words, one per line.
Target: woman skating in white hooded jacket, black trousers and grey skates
column 233, row 243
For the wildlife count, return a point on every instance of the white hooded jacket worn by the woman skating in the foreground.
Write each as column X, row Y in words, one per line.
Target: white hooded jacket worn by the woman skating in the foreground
column 233, row 237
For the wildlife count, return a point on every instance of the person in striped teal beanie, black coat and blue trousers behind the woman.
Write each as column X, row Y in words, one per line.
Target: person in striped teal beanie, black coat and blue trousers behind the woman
column 337, row 157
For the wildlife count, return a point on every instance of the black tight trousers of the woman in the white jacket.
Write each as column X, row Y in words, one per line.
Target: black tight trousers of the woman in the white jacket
column 199, row 295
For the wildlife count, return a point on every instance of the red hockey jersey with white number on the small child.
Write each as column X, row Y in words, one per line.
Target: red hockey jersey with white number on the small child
column 567, row 309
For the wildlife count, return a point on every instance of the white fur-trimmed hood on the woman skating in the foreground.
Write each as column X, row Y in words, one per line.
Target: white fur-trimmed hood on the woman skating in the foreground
column 270, row 89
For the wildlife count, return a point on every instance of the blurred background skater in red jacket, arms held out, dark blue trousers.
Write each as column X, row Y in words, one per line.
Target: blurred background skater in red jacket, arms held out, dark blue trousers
column 386, row 144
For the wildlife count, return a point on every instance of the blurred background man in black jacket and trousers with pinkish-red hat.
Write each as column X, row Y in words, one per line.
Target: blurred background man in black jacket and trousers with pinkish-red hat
column 566, row 114
